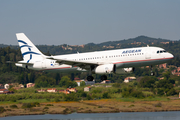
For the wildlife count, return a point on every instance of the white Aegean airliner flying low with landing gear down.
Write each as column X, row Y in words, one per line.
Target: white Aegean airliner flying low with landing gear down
column 100, row 62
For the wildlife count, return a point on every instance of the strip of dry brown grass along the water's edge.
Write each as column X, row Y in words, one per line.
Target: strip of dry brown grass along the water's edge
column 94, row 106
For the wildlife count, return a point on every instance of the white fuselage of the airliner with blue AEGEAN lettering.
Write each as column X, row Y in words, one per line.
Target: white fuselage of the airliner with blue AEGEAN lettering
column 122, row 58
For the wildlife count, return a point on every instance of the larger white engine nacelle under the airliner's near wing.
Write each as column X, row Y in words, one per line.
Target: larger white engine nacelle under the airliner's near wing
column 104, row 69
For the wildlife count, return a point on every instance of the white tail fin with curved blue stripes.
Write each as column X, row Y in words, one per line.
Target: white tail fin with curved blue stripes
column 28, row 49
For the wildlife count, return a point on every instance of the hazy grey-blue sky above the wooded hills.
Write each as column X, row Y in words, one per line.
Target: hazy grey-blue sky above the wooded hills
column 76, row 22
